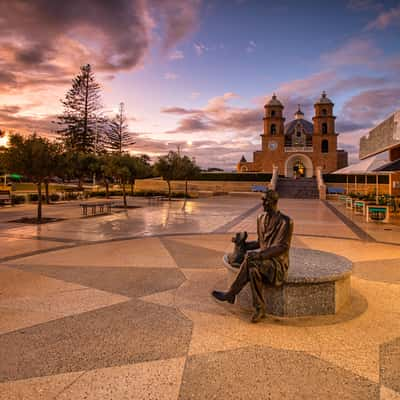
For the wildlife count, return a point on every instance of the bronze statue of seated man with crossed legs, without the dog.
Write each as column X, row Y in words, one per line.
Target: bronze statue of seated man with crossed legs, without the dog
column 267, row 259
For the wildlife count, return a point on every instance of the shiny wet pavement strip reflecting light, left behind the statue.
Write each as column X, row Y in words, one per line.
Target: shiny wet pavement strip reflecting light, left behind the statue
column 177, row 216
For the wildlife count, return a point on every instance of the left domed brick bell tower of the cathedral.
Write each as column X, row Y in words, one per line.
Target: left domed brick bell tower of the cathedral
column 273, row 123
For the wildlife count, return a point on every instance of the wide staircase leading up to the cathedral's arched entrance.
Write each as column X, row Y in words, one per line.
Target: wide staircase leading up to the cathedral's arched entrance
column 300, row 188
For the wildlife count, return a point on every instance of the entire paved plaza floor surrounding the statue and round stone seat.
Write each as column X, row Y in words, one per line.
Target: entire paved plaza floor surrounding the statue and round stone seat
column 119, row 307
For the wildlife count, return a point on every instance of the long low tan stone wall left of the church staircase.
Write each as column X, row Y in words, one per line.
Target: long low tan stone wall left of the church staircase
column 159, row 185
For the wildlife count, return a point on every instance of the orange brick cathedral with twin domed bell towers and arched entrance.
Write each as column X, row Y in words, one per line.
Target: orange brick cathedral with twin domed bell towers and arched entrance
column 298, row 147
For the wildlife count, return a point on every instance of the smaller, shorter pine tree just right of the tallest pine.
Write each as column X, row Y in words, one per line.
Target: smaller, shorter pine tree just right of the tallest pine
column 118, row 136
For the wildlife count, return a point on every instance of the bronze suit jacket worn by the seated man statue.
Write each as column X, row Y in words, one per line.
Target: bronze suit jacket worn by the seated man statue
column 274, row 237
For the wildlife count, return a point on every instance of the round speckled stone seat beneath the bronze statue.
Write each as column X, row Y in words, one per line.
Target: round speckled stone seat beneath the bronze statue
column 318, row 284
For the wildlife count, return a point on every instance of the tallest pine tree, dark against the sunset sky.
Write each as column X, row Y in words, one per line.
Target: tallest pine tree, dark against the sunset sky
column 81, row 123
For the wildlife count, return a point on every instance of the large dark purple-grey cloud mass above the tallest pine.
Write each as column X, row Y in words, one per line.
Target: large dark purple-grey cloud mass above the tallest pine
column 47, row 40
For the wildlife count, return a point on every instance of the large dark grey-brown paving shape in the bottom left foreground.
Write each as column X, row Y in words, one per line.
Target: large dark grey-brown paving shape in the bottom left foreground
column 121, row 334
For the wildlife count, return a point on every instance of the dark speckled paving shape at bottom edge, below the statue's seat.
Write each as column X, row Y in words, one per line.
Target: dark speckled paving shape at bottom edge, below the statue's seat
column 272, row 373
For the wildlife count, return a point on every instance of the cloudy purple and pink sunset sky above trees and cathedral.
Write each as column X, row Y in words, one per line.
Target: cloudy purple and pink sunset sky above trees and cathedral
column 196, row 73
